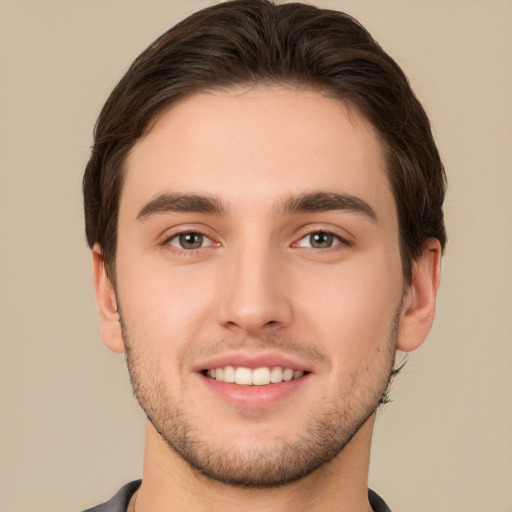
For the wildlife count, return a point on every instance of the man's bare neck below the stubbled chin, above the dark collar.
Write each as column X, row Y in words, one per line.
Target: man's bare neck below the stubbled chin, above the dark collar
column 170, row 484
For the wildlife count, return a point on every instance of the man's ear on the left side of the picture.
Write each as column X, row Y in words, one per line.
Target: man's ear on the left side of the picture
column 111, row 332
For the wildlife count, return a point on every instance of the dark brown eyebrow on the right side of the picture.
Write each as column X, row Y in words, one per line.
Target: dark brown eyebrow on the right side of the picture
column 321, row 201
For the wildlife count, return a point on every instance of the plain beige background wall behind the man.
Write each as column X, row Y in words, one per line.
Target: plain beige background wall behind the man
column 70, row 431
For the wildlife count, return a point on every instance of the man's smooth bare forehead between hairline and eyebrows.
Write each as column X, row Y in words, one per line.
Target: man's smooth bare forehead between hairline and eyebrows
column 256, row 147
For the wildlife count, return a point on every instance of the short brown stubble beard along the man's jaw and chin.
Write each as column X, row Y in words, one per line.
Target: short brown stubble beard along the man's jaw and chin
column 328, row 429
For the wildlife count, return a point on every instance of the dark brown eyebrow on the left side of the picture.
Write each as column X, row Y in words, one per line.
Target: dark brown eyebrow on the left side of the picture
column 187, row 203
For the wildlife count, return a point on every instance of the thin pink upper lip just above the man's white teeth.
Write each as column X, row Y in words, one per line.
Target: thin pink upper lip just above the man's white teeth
column 253, row 360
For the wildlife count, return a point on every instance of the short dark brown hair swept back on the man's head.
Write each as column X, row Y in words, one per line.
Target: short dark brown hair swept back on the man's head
column 254, row 42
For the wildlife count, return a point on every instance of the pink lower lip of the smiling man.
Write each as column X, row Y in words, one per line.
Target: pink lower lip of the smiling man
column 254, row 397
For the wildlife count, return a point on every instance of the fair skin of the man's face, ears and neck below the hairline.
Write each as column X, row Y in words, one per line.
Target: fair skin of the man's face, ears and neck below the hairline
column 257, row 230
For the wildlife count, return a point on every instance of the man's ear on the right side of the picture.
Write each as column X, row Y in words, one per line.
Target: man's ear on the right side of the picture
column 420, row 299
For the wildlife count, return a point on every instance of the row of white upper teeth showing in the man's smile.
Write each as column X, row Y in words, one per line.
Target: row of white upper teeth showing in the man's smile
column 255, row 377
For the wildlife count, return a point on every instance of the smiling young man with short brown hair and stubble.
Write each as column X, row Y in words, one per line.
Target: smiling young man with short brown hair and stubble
column 264, row 207
